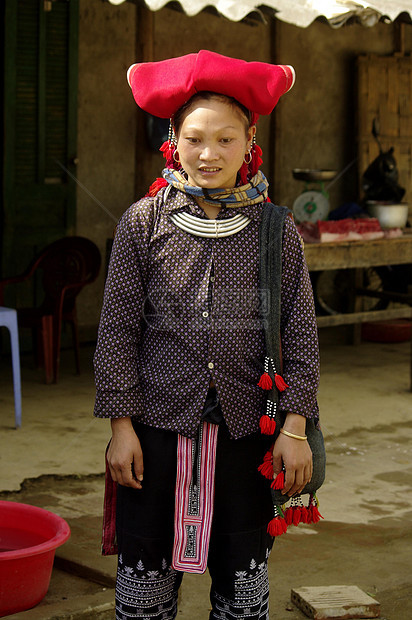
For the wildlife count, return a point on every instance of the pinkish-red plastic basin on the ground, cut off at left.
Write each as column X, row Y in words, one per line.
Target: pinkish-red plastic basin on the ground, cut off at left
column 29, row 537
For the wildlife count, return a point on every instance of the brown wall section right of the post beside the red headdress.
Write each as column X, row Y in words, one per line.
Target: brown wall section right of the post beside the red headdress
column 317, row 125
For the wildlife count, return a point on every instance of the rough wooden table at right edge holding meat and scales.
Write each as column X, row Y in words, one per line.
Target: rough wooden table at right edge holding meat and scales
column 358, row 255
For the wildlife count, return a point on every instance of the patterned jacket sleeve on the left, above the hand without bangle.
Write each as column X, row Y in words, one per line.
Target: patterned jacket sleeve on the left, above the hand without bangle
column 121, row 321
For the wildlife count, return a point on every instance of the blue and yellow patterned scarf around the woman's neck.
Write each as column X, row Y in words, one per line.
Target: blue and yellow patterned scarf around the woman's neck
column 250, row 194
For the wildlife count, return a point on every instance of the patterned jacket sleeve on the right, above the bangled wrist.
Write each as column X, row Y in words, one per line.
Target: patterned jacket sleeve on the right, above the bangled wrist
column 299, row 334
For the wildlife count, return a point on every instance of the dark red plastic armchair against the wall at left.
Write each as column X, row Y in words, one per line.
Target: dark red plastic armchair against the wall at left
column 60, row 271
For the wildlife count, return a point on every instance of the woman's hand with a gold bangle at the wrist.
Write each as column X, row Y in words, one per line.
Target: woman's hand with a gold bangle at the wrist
column 294, row 454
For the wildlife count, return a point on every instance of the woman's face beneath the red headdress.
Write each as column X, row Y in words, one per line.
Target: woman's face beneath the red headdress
column 212, row 143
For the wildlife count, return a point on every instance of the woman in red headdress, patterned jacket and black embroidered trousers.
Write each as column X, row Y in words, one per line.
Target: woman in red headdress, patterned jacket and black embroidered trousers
column 181, row 349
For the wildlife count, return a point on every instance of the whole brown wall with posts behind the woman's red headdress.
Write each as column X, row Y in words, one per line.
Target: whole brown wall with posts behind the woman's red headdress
column 314, row 126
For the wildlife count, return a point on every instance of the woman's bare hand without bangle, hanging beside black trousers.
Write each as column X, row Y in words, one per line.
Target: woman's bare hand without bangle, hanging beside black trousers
column 124, row 455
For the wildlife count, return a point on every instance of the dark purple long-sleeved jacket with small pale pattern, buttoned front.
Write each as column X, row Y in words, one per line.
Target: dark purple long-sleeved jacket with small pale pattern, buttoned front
column 181, row 310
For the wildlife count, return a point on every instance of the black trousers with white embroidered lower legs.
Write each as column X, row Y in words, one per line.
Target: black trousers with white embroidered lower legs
column 147, row 585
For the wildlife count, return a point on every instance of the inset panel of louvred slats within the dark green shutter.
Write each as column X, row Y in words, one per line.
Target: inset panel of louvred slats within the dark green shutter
column 41, row 91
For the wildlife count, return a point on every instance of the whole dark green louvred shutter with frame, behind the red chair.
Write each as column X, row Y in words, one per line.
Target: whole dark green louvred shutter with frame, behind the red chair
column 40, row 126
